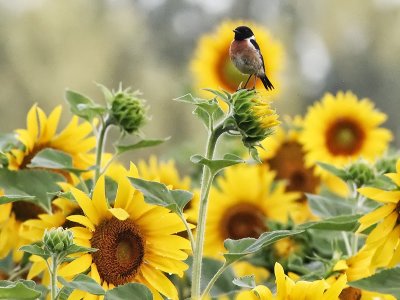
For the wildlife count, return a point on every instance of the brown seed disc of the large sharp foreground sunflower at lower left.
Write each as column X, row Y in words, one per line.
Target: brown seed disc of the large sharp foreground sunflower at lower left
column 121, row 250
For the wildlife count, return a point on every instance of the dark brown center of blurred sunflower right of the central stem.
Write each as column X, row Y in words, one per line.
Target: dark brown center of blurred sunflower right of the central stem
column 243, row 220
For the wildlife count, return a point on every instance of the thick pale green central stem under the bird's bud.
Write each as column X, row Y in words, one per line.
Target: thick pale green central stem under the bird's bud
column 206, row 182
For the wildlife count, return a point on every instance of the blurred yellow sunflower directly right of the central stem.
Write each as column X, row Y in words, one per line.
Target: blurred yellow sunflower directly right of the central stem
column 246, row 198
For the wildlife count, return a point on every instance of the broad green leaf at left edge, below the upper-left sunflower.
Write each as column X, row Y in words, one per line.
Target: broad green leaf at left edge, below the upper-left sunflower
column 32, row 185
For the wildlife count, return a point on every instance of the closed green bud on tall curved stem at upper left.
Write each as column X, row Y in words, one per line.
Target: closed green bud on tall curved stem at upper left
column 128, row 111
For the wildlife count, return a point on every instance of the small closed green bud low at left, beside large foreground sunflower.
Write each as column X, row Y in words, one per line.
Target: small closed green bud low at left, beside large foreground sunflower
column 58, row 239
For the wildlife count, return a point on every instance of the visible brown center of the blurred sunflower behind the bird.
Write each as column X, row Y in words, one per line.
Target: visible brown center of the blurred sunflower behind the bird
column 227, row 73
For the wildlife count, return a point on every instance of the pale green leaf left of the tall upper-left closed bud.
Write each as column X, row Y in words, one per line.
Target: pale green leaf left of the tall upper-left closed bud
column 83, row 106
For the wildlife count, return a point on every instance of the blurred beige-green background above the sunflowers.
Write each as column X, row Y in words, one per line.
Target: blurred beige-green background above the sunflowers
column 49, row 45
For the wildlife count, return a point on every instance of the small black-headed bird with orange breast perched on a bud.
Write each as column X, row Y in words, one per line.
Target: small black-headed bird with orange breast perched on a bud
column 245, row 54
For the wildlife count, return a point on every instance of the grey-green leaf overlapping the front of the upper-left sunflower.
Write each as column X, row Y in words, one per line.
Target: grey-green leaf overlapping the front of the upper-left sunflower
column 53, row 159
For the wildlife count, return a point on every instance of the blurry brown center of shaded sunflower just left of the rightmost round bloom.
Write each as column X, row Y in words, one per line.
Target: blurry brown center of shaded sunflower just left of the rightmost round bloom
column 288, row 162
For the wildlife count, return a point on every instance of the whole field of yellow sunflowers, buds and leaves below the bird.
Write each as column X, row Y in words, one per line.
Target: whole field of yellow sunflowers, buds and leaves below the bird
column 299, row 207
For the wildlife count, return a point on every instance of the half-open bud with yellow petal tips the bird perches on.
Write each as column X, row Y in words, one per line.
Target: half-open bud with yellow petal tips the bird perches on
column 254, row 117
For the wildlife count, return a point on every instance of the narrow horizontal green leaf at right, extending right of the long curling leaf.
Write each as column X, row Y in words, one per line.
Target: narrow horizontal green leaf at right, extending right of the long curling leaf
column 338, row 223
